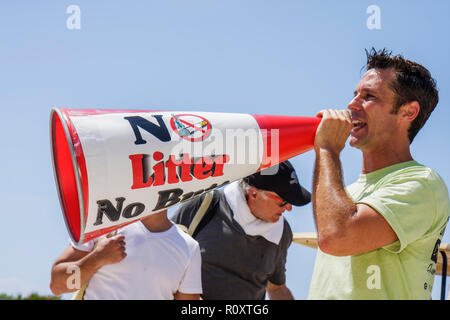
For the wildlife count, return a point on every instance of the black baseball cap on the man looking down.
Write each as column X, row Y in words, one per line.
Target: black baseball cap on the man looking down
column 283, row 182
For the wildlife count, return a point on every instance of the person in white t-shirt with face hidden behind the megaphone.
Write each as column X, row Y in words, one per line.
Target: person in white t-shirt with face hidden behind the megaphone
column 150, row 259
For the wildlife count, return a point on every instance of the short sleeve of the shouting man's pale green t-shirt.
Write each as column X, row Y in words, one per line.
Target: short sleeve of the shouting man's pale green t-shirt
column 407, row 203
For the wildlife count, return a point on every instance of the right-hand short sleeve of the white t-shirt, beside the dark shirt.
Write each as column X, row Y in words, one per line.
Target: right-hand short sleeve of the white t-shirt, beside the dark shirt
column 192, row 280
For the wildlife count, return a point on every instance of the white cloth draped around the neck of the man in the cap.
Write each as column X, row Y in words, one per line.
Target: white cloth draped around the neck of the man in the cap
column 253, row 226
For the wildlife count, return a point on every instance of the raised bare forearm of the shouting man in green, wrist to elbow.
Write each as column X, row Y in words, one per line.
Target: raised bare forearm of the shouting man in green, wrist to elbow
column 331, row 204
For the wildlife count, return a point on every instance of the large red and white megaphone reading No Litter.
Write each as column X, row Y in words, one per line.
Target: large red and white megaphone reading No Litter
column 114, row 167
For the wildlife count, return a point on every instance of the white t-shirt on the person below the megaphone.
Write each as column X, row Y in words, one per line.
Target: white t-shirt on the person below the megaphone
column 157, row 265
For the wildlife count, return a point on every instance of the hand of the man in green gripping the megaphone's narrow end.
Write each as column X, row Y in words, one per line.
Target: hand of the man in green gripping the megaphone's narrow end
column 333, row 130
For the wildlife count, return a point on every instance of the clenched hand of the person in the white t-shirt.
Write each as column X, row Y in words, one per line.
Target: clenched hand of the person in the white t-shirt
column 110, row 250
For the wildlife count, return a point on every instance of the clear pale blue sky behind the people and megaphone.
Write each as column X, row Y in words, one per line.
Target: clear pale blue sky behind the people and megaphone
column 257, row 57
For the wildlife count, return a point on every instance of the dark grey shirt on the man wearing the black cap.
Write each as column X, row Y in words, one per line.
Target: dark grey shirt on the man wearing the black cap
column 234, row 265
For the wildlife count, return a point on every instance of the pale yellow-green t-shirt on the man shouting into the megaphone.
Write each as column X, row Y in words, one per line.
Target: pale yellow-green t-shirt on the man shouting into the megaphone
column 414, row 201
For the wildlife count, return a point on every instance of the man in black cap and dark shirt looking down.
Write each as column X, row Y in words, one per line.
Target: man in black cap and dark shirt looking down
column 244, row 238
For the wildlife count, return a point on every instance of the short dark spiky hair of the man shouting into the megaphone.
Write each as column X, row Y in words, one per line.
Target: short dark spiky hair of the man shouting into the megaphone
column 413, row 82
